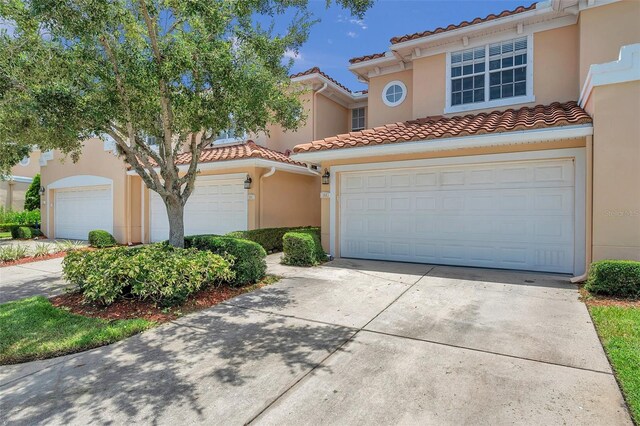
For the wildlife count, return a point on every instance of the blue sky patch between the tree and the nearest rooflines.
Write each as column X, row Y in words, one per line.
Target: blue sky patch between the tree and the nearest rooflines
column 339, row 36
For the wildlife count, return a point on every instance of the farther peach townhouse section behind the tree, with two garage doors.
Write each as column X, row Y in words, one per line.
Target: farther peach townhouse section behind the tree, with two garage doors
column 100, row 192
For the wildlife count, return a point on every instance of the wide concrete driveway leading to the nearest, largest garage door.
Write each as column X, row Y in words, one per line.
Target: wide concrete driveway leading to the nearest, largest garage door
column 352, row 342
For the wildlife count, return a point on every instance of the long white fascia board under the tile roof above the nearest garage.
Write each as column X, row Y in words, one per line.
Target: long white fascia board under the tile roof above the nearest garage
column 445, row 144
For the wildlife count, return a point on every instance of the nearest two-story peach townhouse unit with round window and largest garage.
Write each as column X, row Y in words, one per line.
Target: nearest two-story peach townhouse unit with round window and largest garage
column 511, row 141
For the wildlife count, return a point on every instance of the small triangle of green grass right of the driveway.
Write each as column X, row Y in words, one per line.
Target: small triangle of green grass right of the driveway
column 619, row 330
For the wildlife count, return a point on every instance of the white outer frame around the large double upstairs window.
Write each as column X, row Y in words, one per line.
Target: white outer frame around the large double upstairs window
column 496, row 103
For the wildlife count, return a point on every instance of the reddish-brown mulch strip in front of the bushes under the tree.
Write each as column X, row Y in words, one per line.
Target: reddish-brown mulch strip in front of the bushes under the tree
column 130, row 309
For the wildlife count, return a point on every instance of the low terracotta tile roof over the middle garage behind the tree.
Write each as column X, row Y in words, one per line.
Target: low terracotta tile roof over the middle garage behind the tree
column 242, row 151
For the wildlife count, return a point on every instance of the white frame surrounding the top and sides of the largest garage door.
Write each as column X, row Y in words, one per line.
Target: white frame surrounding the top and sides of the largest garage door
column 578, row 155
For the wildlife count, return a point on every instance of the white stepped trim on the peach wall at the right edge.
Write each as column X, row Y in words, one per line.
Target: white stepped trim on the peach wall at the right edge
column 625, row 69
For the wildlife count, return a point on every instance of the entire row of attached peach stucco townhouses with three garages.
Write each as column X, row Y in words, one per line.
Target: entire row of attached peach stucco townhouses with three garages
column 510, row 141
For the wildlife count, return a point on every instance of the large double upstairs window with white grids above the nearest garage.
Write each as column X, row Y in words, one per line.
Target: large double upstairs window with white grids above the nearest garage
column 491, row 75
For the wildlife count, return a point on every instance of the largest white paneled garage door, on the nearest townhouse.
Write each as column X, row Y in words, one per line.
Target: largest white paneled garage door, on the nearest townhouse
column 515, row 215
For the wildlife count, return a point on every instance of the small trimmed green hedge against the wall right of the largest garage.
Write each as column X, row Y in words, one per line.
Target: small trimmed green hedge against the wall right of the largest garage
column 614, row 278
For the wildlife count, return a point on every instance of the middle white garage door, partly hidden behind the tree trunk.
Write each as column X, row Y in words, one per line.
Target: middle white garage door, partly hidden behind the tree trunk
column 216, row 206
